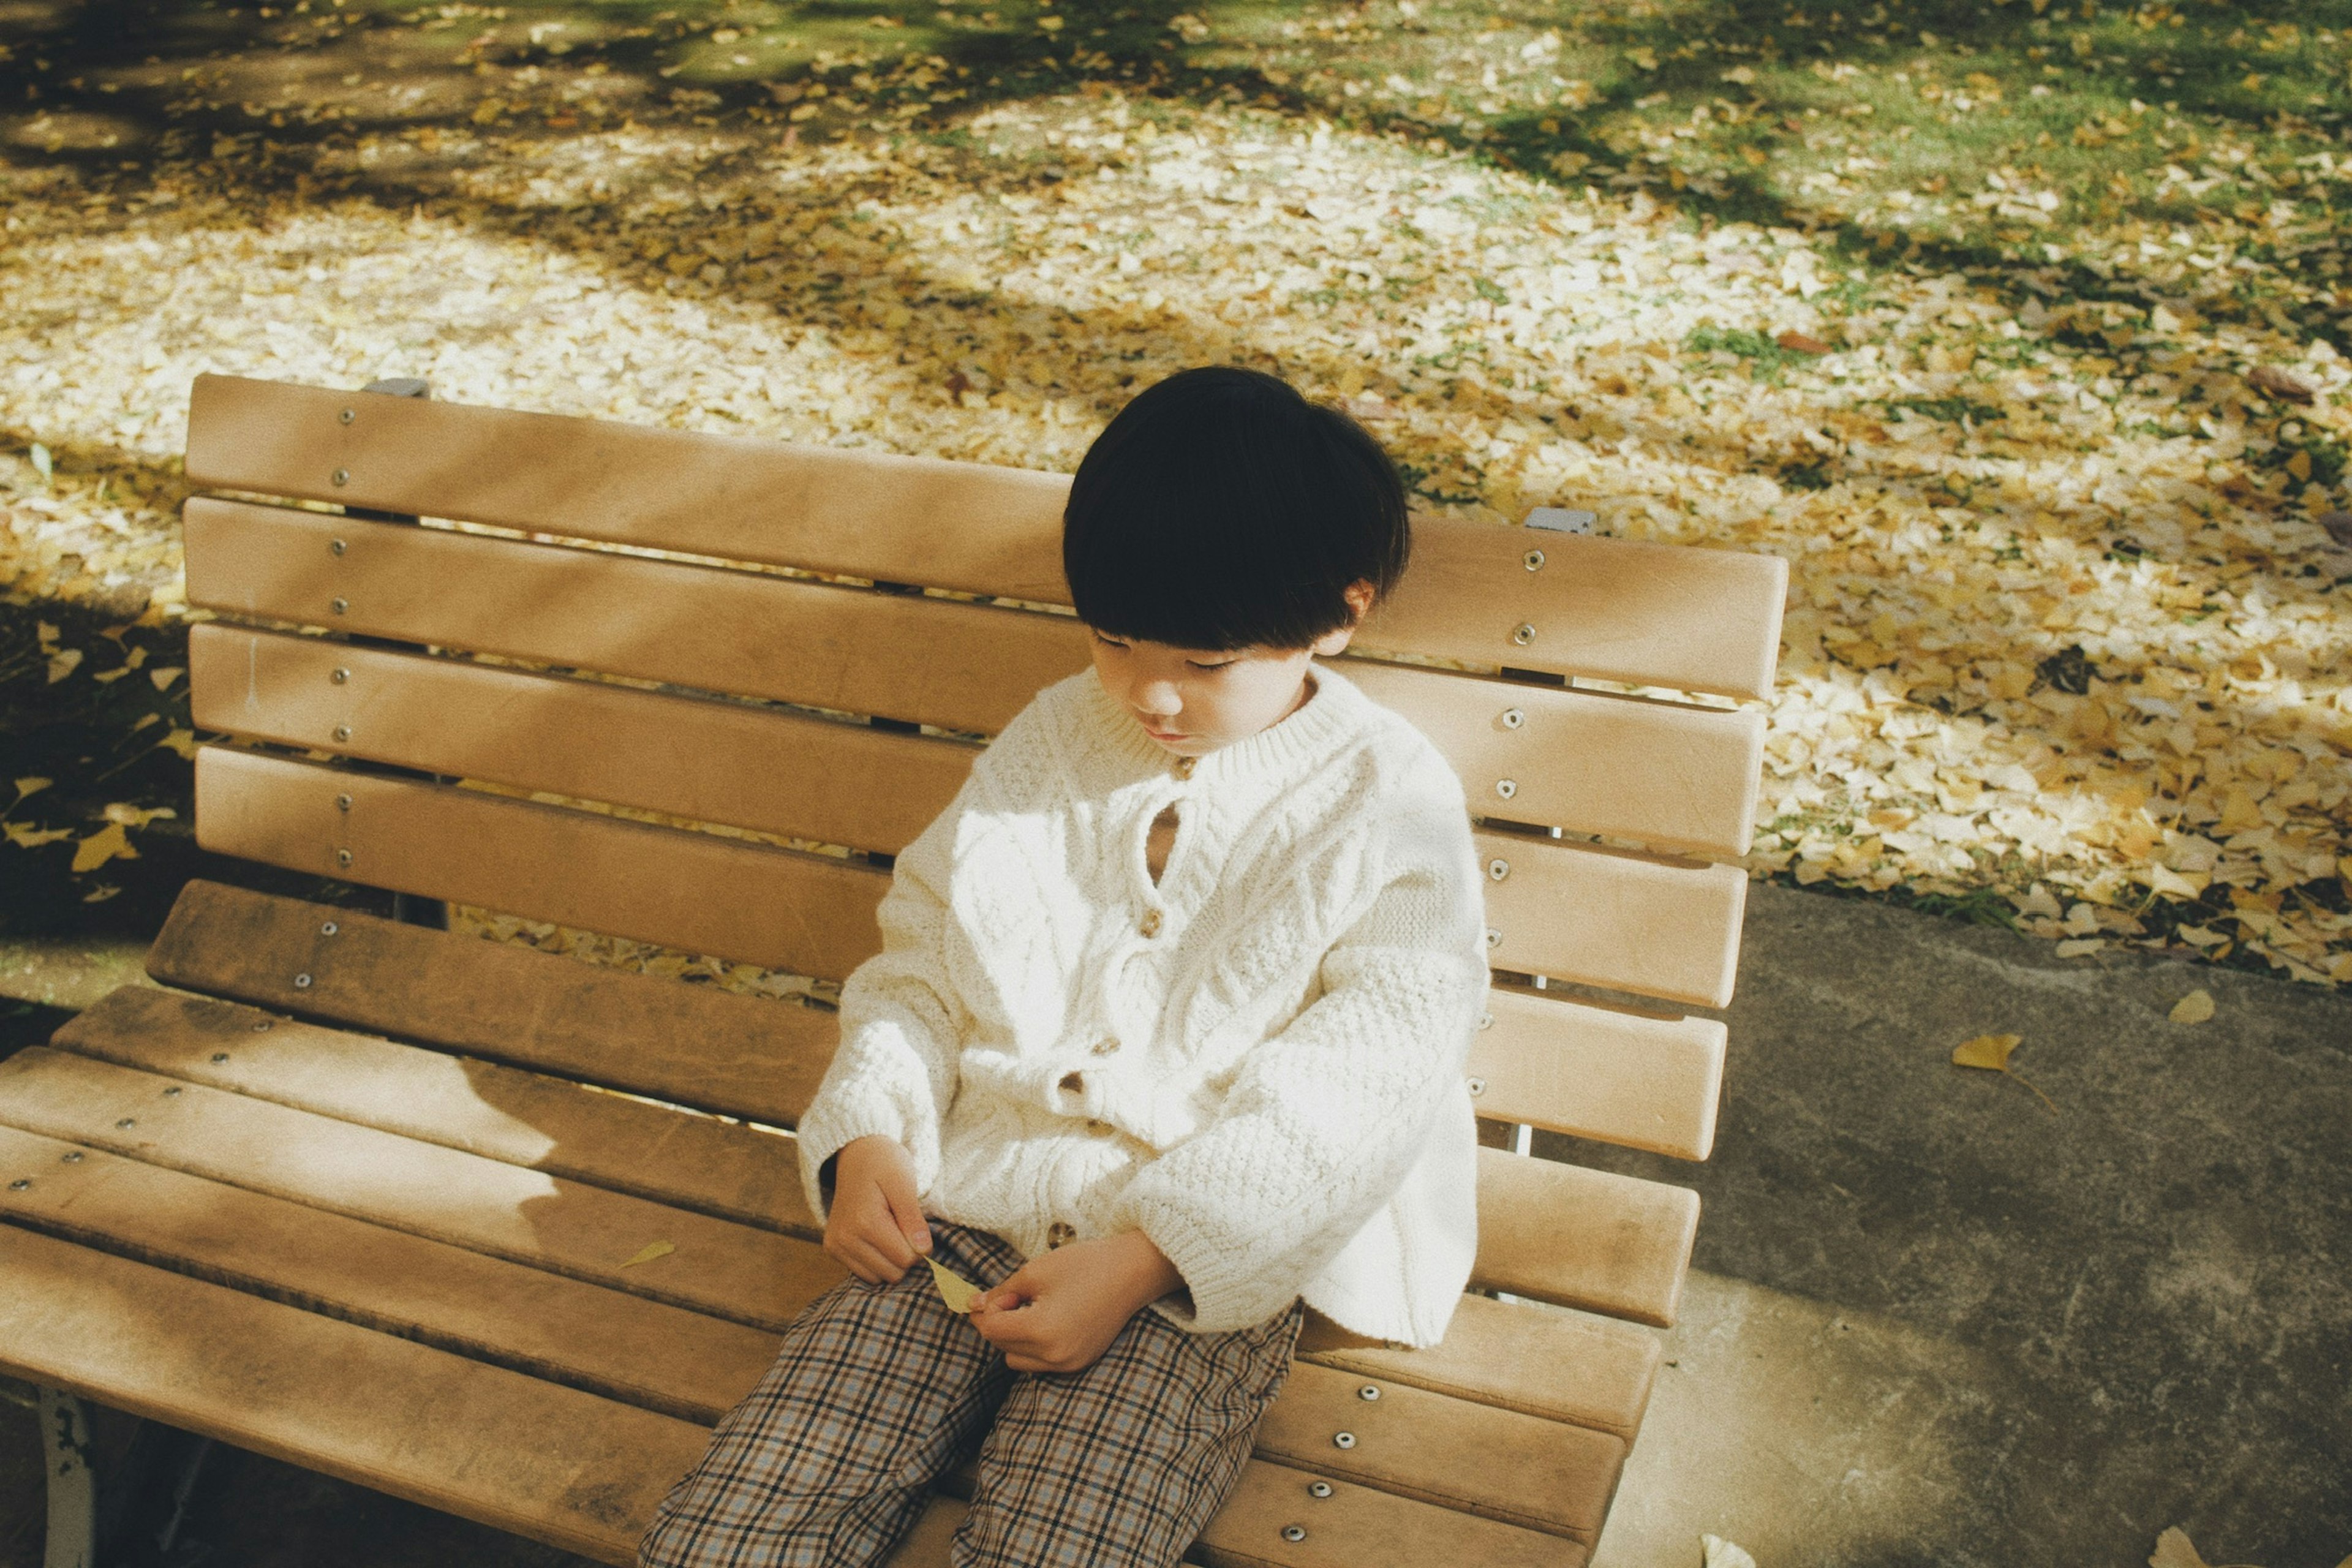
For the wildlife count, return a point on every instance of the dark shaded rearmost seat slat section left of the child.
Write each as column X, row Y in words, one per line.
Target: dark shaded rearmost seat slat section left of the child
column 695, row 1045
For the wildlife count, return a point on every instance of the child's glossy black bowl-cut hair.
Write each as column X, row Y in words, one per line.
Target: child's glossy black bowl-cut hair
column 1224, row 511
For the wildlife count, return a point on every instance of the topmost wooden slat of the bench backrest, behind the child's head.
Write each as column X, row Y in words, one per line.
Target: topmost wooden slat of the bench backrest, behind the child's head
column 1617, row 610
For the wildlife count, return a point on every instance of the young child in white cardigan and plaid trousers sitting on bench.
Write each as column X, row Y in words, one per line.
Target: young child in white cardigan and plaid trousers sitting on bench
column 1165, row 1043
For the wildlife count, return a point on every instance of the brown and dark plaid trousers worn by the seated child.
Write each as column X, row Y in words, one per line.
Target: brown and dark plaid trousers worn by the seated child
column 881, row 1391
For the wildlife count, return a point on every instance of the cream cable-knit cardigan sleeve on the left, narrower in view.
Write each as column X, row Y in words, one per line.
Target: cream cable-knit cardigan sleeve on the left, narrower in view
column 895, row 1071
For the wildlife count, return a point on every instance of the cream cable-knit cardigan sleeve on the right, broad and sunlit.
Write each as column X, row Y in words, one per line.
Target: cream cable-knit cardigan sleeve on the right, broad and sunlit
column 1325, row 1118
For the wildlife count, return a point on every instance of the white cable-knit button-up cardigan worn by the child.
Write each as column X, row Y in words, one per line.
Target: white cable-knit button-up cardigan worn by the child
column 1255, row 1061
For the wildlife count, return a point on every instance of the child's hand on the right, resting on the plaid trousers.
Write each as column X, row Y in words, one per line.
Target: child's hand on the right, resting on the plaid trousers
column 1062, row 1311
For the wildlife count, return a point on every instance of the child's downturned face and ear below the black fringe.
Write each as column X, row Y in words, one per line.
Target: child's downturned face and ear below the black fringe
column 1194, row 702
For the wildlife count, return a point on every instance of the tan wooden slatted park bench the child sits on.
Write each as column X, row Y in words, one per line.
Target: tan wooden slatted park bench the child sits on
column 392, row 1202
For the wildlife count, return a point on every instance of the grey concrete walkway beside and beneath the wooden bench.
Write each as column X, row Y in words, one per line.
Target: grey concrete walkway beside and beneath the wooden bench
column 1935, row 1322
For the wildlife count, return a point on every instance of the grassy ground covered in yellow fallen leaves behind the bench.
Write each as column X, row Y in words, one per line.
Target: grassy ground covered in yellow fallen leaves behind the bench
column 2010, row 328
